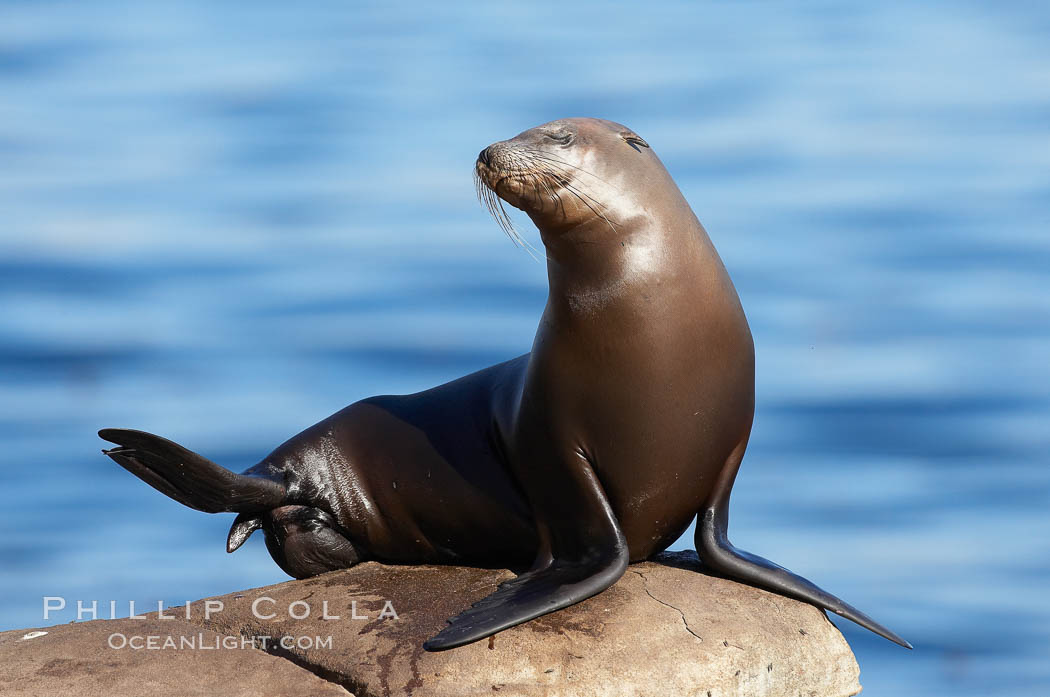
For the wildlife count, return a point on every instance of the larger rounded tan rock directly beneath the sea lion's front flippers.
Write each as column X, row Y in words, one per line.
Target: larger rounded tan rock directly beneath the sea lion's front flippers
column 663, row 630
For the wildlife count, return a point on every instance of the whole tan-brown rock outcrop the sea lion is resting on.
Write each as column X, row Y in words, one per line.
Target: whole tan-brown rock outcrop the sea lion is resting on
column 663, row 630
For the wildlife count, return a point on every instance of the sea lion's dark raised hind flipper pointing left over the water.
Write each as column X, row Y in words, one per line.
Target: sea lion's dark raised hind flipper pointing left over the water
column 188, row 478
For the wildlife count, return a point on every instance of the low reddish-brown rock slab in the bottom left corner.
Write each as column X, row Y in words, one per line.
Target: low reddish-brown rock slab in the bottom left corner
column 79, row 660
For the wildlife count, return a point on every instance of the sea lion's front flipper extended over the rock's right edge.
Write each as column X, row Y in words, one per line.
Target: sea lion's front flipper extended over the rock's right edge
column 716, row 552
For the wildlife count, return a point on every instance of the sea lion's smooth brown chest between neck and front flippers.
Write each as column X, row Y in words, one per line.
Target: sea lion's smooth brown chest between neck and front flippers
column 655, row 386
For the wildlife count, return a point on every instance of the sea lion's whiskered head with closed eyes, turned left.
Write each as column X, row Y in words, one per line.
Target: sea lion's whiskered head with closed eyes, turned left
column 570, row 173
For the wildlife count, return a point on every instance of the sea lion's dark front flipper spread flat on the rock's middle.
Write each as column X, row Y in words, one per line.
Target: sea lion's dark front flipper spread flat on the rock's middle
column 528, row 597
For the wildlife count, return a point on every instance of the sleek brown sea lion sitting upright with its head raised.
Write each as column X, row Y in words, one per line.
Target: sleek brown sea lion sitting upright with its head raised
column 629, row 417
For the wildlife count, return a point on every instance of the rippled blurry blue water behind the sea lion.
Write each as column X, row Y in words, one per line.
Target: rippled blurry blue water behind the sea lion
column 224, row 223
